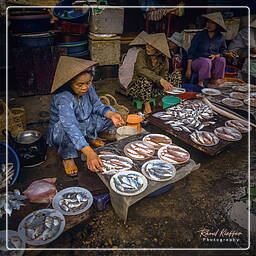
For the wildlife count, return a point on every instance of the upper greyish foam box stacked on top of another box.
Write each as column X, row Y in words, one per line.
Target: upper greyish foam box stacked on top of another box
column 107, row 21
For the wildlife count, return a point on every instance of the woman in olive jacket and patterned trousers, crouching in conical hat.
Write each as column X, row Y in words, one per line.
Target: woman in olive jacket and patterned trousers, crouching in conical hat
column 151, row 71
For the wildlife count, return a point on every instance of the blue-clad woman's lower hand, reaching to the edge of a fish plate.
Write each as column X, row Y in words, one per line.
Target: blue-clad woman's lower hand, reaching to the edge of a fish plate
column 94, row 163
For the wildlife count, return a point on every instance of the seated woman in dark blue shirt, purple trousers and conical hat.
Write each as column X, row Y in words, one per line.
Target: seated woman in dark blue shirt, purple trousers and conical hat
column 207, row 52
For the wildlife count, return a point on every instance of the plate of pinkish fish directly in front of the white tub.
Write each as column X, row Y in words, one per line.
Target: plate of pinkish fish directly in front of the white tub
column 138, row 150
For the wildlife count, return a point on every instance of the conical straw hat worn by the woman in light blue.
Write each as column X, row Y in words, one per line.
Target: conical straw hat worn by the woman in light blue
column 67, row 68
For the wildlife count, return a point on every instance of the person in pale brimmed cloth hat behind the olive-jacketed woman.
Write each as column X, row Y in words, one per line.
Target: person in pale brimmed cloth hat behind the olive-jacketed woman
column 178, row 61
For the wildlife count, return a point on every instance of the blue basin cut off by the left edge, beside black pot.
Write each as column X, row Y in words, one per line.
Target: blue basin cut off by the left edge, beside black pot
column 12, row 158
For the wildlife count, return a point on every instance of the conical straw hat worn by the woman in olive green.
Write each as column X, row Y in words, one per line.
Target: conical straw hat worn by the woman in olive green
column 158, row 41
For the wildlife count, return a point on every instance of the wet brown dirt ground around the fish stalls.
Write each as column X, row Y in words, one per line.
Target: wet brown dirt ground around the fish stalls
column 172, row 220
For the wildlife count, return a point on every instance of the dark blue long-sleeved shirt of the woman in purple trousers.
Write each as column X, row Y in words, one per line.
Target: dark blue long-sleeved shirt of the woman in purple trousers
column 204, row 46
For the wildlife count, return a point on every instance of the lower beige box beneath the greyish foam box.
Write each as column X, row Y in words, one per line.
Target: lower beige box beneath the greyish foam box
column 105, row 50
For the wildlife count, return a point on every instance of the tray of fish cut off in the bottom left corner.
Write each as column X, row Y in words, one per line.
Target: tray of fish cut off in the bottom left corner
column 14, row 242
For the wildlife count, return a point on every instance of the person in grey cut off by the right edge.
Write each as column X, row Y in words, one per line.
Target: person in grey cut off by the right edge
column 240, row 46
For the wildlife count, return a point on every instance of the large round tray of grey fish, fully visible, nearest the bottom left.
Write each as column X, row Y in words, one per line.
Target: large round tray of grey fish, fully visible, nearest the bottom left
column 41, row 227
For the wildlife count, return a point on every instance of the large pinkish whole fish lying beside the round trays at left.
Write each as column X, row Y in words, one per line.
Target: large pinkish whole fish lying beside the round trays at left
column 41, row 191
